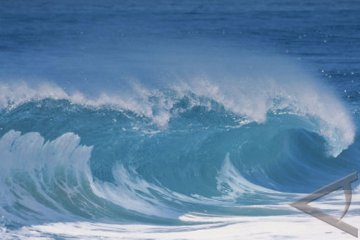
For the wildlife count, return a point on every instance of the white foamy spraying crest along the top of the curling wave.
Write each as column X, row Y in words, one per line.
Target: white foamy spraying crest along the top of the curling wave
column 253, row 103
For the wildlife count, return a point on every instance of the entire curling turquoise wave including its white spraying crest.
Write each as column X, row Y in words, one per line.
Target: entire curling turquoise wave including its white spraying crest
column 67, row 158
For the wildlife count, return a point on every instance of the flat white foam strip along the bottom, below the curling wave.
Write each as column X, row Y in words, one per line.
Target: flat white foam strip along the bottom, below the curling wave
column 275, row 227
